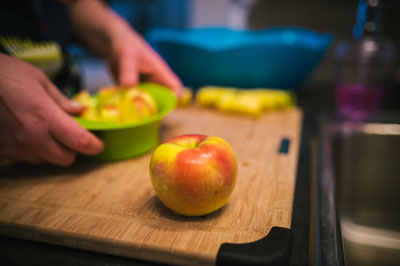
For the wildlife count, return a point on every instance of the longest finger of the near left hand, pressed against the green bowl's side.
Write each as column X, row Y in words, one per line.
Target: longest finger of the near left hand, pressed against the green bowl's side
column 77, row 139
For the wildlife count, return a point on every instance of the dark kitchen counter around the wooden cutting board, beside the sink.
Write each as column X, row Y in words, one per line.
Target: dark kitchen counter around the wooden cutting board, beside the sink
column 314, row 101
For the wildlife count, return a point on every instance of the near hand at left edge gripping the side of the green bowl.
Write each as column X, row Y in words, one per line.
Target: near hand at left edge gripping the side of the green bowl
column 34, row 118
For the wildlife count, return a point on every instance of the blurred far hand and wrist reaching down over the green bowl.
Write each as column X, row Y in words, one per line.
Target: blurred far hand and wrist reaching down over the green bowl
column 129, row 57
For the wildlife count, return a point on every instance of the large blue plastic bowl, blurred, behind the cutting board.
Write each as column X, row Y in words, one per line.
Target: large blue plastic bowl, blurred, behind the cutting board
column 281, row 57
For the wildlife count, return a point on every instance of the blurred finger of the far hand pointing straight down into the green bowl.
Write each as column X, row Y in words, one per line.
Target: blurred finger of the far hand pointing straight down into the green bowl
column 128, row 75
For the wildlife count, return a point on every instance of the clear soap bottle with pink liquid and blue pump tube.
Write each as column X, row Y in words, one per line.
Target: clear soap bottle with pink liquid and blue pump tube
column 364, row 66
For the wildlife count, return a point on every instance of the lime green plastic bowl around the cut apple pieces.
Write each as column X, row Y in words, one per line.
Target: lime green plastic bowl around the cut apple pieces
column 127, row 140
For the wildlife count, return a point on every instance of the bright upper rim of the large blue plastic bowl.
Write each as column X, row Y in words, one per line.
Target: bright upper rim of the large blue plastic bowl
column 224, row 38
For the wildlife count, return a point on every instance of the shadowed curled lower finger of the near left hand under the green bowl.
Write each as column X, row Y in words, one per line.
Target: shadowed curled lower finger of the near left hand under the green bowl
column 56, row 153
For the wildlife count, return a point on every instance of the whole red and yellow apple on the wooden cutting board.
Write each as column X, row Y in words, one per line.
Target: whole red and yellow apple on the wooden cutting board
column 194, row 175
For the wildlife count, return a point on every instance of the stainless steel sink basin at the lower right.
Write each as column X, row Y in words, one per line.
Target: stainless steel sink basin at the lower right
column 361, row 177
